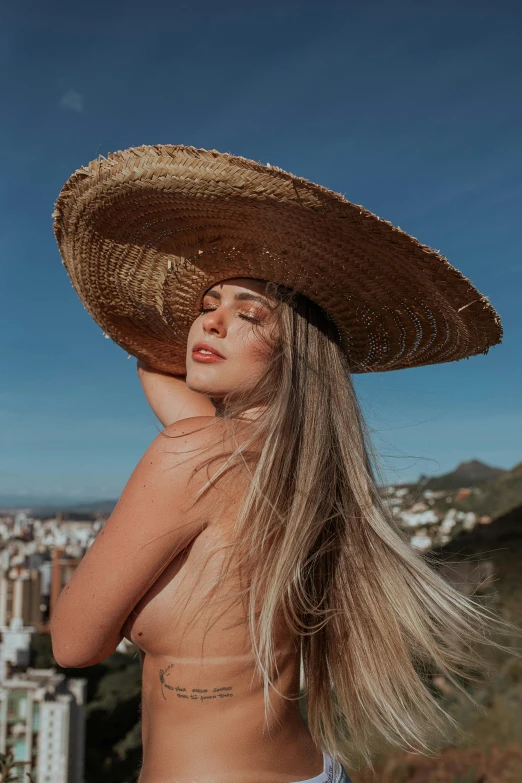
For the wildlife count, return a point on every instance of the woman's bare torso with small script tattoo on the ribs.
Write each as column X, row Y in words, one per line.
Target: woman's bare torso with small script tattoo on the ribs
column 202, row 705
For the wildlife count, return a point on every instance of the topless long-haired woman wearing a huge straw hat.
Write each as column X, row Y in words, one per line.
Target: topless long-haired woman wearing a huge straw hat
column 250, row 552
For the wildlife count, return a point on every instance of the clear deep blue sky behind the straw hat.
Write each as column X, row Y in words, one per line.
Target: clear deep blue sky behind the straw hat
column 411, row 109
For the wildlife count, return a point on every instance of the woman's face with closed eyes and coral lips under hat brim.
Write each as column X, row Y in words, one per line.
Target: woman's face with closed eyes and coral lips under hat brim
column 235, row 320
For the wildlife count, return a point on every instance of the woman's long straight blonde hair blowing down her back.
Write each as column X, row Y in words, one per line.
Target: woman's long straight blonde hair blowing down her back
column 317, row 542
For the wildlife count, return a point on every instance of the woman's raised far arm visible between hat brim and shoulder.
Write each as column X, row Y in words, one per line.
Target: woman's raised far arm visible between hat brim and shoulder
column 169, row 396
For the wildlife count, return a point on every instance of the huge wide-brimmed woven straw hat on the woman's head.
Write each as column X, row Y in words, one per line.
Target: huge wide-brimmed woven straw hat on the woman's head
column 143, row 232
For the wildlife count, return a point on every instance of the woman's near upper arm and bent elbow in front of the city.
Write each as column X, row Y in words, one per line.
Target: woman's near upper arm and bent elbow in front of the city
column 153, row 522
